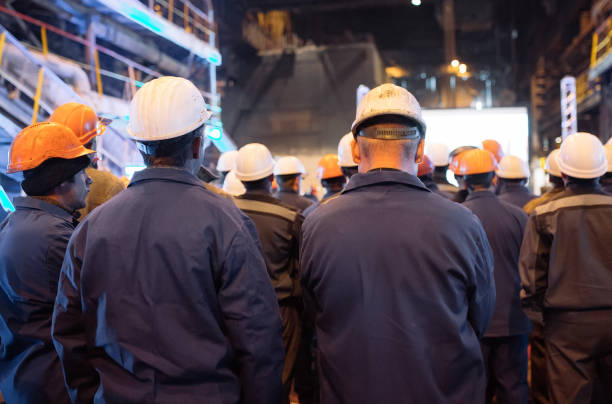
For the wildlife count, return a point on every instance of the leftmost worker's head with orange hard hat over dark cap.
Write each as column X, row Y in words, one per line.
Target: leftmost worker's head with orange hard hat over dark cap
column 52, row 160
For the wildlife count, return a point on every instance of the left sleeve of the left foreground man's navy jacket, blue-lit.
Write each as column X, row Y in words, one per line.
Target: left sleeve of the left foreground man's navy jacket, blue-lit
column 68, row 330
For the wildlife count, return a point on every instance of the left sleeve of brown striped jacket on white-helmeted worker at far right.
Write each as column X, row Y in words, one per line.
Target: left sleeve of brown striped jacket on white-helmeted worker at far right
column 533, row 269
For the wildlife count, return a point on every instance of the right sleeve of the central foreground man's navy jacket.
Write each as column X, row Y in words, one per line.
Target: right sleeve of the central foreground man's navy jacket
column 482, row 298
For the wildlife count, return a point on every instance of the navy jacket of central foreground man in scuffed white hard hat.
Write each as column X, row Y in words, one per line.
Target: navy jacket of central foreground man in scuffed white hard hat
column 401, row 283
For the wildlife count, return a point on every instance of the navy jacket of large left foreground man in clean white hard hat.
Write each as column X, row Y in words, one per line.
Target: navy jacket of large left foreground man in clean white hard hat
column 164, row 298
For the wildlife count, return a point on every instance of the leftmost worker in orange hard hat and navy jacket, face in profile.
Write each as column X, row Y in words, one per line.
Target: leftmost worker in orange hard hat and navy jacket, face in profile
column 33, row 241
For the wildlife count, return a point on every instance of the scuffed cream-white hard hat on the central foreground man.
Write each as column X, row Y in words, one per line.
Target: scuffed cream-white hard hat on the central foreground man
column 389, row 99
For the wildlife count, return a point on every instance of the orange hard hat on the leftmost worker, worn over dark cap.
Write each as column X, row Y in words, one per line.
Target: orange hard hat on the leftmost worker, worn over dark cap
column 42, row 141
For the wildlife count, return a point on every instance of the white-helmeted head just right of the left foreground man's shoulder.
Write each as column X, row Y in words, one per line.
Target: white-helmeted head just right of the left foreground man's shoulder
column 255, row 167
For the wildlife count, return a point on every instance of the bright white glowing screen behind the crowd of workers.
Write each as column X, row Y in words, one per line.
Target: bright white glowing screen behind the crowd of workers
column 469, row 127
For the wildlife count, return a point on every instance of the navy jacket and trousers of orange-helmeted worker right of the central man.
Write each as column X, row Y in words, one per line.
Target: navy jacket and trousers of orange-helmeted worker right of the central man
column 505, row 342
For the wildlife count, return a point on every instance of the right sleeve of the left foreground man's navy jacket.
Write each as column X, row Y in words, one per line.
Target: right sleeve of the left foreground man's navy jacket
column 252, row 318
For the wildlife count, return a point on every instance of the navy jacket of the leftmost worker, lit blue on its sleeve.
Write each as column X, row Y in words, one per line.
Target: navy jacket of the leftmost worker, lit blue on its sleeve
column 33, row 241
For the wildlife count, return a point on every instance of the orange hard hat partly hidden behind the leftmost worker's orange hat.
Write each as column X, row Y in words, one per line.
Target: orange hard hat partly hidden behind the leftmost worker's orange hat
column 81, row 119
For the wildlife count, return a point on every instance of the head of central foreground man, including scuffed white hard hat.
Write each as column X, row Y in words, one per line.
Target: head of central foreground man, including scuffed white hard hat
column 389, row 130
